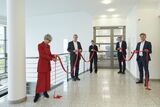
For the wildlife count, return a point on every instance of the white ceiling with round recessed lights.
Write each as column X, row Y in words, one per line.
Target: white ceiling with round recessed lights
column 93, row 7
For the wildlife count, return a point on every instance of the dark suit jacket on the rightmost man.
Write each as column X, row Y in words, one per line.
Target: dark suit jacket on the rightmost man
column 147, row 45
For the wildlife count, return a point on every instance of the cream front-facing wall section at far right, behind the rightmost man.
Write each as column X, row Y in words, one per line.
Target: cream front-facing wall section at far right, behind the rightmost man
column 150, row 24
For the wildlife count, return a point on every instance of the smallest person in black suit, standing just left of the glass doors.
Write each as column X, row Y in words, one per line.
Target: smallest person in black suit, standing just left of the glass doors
column 93, row 49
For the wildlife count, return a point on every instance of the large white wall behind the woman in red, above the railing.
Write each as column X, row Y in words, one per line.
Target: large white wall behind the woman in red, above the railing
column 60, row 26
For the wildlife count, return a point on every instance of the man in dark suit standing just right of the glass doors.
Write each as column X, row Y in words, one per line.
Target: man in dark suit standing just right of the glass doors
column 121, row 47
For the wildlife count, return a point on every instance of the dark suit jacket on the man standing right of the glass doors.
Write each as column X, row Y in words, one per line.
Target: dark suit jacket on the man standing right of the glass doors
column 124, row 47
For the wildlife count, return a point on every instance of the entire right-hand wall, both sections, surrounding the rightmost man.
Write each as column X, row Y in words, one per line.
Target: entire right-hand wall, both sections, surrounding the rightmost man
column 144, row 19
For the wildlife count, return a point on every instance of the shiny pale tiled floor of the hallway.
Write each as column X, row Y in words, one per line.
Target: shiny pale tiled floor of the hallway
column 105, row 89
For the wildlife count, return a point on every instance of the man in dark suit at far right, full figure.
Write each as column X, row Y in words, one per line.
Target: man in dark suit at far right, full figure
column 146, row 47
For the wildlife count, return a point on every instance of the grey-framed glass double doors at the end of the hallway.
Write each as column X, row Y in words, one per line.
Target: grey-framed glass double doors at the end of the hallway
column 106, row 39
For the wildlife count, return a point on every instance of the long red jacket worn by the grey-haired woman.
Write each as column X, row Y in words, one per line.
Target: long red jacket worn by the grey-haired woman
column 45, row 57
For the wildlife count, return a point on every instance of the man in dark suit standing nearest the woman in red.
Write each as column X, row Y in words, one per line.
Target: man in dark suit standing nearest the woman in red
column 74, row 47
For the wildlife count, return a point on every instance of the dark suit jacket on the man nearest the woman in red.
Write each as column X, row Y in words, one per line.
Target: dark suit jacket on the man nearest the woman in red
column 71, row 48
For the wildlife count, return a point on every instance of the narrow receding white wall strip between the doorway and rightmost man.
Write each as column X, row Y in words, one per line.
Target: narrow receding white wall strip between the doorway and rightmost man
column 131, row 39
